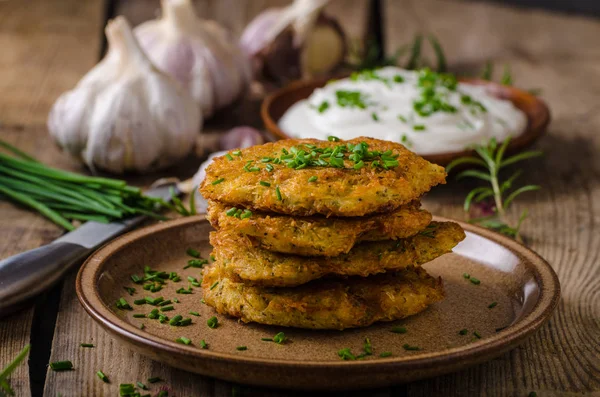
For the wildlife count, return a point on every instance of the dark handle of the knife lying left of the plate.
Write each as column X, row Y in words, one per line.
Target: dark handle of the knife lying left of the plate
column 27, row 274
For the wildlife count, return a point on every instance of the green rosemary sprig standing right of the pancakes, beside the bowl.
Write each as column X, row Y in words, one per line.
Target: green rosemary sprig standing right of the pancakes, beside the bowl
column 491, row 159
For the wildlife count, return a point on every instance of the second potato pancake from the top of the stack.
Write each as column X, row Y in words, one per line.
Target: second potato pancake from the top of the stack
column 318, row 235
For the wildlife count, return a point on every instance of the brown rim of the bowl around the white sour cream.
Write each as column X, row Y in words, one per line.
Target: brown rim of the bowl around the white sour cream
column 522, row 141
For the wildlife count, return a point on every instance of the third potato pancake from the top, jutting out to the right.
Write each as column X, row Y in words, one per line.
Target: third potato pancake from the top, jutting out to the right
column 240, row 261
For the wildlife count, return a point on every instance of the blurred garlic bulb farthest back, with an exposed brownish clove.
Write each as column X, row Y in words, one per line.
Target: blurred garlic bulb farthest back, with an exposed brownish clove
column 297, row 41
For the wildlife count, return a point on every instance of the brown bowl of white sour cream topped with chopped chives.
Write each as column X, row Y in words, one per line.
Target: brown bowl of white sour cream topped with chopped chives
column 433, row 114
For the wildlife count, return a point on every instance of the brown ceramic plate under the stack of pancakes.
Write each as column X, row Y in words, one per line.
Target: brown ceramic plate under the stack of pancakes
column 524, row 286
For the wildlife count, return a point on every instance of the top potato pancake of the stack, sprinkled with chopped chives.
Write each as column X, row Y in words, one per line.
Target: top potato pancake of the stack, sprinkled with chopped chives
column 305, row 177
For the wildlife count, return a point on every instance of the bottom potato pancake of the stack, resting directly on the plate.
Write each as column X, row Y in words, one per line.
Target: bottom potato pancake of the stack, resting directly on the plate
column 325, row 304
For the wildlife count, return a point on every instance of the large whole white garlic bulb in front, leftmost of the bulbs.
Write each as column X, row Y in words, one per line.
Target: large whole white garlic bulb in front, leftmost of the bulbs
column 124, row 114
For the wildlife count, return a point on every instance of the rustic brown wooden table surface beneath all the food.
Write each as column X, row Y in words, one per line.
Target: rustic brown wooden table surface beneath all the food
column 47, row 46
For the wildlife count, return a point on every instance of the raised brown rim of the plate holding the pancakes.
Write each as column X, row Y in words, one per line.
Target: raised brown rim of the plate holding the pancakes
column 545, row 276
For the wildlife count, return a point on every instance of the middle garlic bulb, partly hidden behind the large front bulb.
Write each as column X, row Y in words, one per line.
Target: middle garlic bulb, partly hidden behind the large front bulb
column 200, row 54
